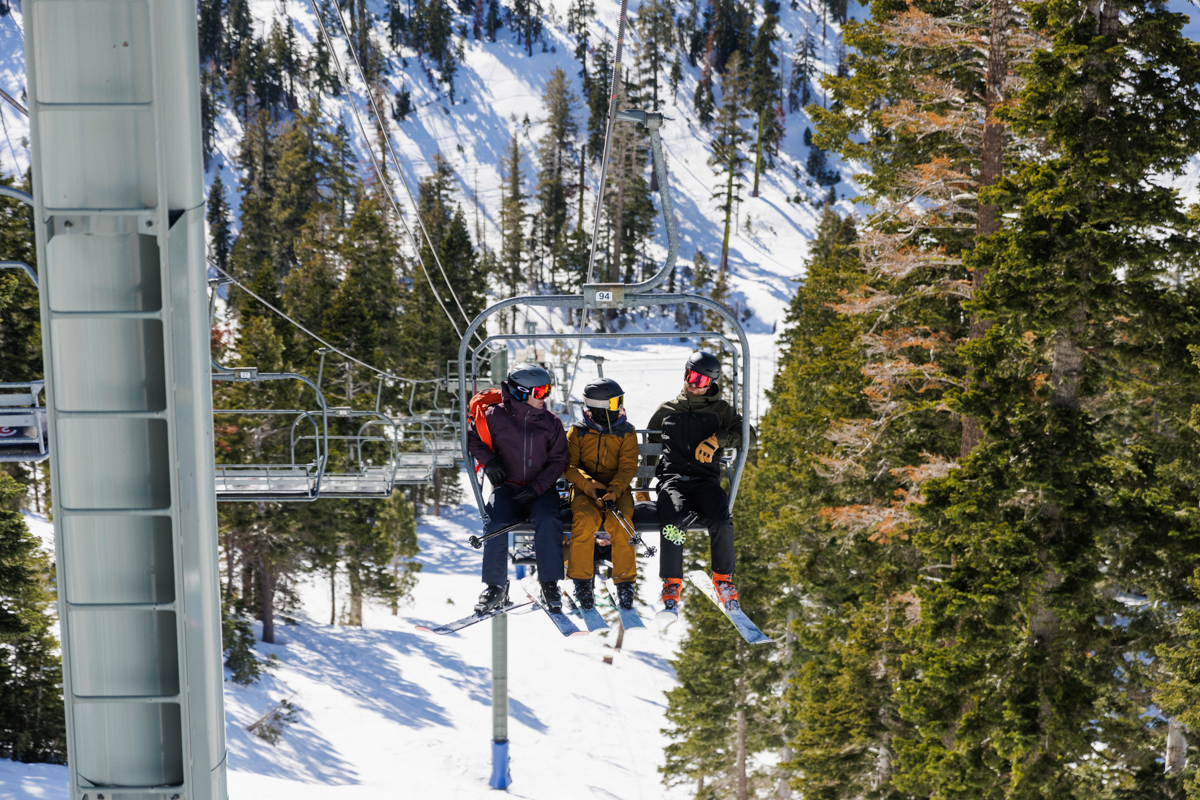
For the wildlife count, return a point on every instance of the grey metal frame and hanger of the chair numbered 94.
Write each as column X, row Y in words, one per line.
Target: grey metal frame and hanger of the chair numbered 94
column 621, row 296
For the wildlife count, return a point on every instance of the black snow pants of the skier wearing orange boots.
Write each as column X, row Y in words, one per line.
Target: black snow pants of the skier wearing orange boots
column 681, row 497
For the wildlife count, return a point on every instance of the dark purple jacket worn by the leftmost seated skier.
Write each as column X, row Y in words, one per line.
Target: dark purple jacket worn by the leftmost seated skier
column 531, row 443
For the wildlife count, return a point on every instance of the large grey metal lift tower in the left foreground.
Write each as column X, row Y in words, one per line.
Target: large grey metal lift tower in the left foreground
column 115, row 112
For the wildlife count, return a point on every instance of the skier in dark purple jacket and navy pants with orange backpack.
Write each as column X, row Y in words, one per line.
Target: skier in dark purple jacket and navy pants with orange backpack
column 527, row 458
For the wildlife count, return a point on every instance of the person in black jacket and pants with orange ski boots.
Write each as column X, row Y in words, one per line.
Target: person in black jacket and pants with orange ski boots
column 694, row 429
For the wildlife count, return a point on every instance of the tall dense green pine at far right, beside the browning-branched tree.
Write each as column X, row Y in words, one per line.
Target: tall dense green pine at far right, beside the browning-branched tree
column 1042, row 586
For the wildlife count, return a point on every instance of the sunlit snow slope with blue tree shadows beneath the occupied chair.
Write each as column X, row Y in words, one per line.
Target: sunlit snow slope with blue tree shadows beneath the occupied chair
column 391, row 712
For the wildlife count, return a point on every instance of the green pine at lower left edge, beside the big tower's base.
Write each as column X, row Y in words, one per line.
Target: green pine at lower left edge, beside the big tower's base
column 32, row 718
